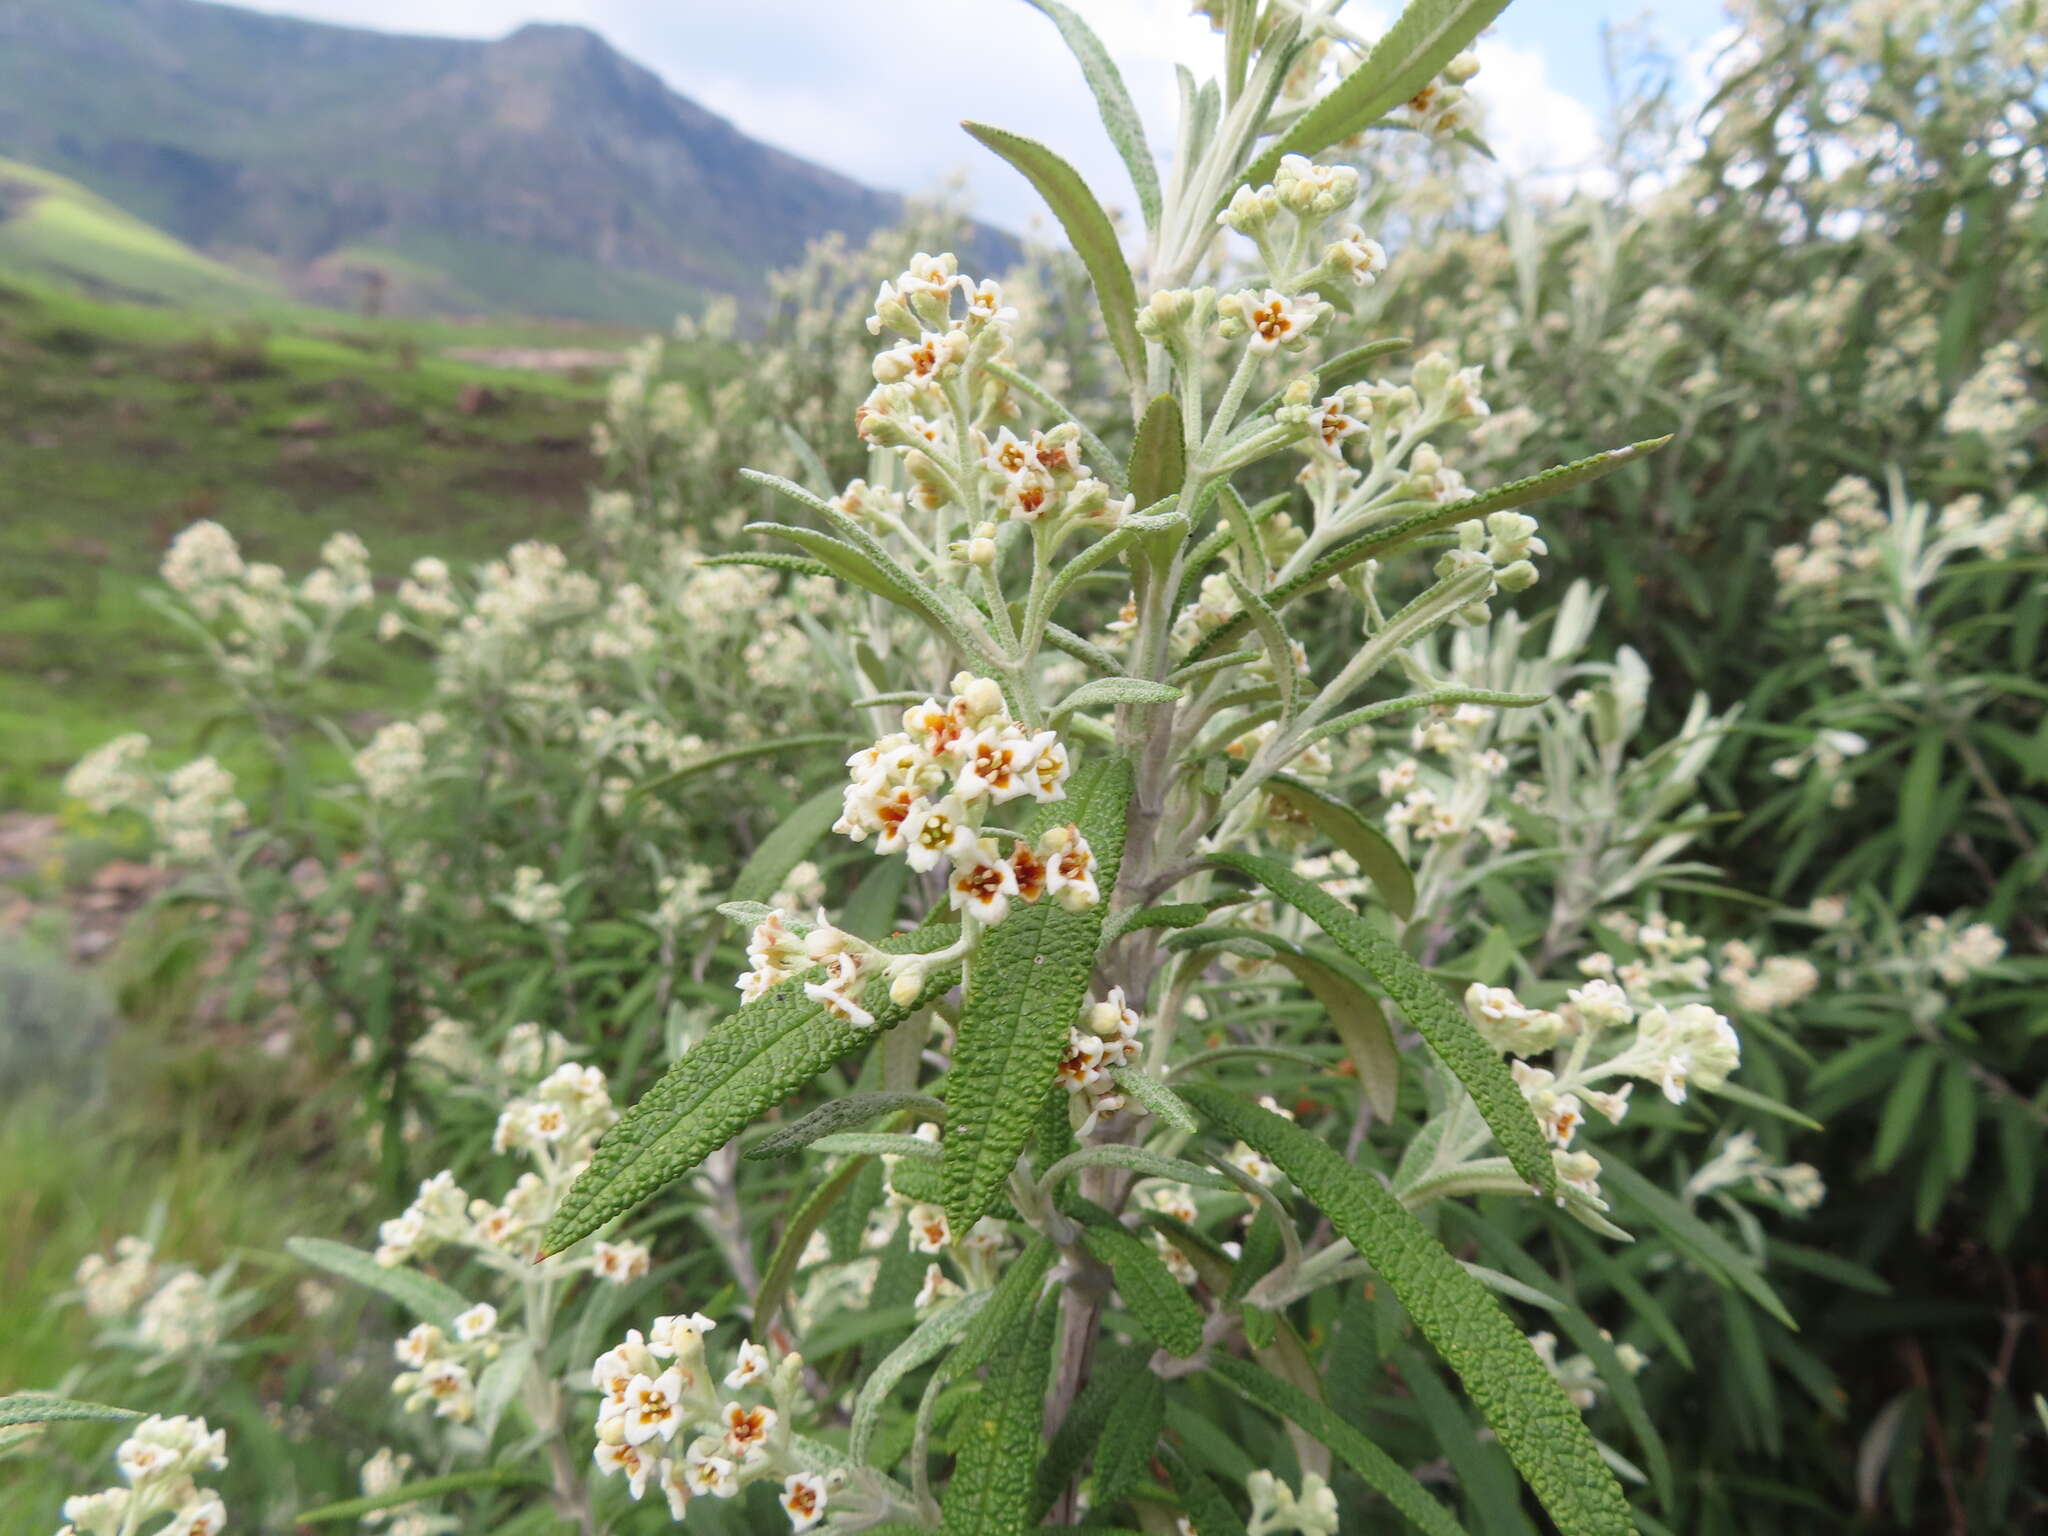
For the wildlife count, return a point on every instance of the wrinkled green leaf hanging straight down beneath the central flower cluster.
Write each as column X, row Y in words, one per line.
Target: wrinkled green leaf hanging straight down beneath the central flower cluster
column 1025, row 988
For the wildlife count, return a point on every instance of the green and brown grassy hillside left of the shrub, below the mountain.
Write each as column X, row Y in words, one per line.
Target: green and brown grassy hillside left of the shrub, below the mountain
column 120, row 425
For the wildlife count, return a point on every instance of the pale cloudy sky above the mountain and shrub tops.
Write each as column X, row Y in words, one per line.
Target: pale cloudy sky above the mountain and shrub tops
column 878, row 89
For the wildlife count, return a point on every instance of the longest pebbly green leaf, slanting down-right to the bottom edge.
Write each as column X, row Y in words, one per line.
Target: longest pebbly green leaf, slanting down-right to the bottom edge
column 1517, row 1394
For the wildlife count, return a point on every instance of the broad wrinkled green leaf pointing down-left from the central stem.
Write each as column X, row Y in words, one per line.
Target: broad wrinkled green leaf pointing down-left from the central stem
column 744, row 1066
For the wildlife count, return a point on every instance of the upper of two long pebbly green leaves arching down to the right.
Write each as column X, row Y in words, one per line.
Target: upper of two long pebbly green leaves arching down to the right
column 1428, row 1009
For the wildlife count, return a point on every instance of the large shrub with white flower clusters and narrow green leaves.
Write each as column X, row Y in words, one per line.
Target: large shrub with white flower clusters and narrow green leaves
column 1193, row 992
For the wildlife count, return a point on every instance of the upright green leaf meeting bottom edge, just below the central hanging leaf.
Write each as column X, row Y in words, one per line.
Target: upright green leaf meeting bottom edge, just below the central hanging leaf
column 998, row 1437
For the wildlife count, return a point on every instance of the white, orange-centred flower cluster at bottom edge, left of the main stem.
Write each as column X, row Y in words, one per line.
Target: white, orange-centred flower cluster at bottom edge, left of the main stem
column 663, row 1420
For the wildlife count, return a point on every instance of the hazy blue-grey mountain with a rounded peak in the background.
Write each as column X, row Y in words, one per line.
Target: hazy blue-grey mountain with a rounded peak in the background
column 542, row 173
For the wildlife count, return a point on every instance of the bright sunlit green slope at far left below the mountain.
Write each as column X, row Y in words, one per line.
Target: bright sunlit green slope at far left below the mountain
column 56, row 228
